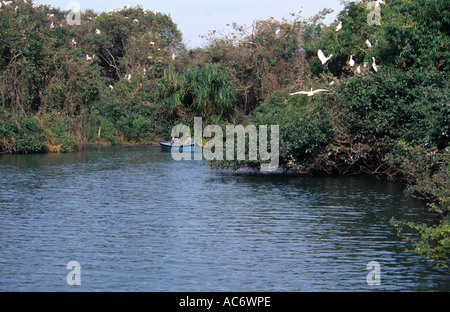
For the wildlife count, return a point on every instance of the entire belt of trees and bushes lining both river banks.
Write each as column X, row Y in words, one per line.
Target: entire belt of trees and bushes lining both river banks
column 124, row 77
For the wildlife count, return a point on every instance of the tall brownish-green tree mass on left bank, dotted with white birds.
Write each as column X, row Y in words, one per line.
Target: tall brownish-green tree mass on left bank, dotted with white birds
column 86, row 83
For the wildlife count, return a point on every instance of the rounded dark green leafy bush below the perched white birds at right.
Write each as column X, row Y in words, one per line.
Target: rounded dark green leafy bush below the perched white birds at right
column 383, row 109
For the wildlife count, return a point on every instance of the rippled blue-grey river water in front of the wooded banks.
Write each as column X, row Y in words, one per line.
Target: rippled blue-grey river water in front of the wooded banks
column 136, row 220
